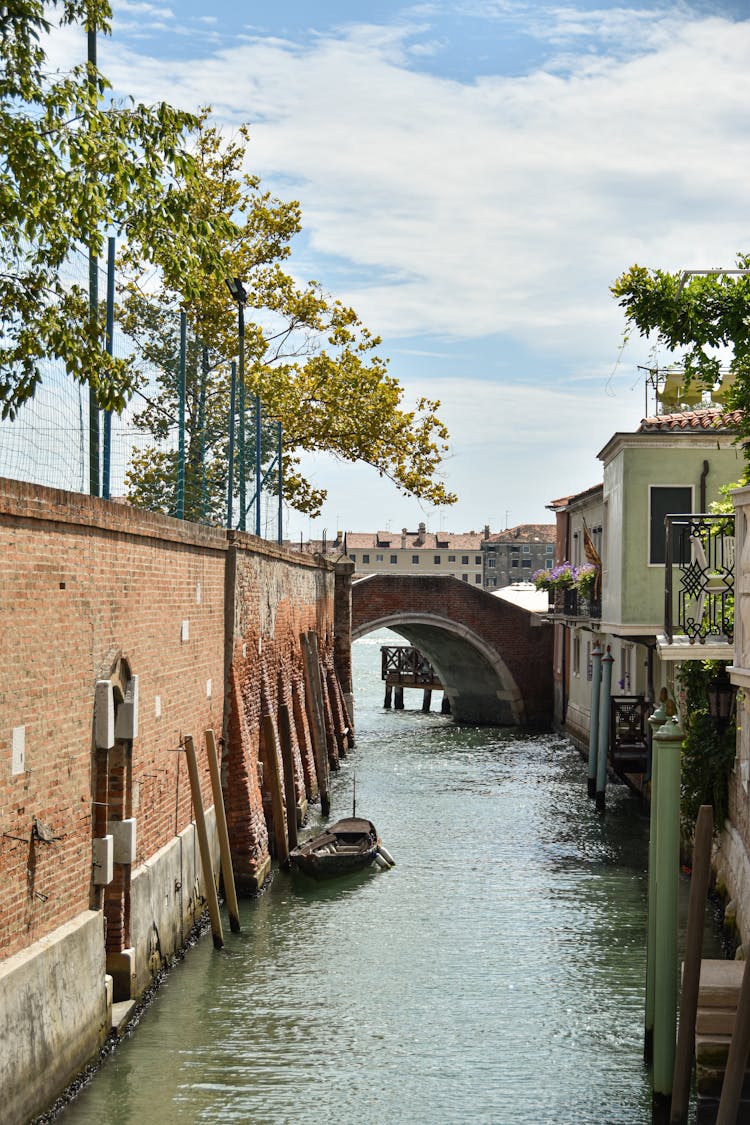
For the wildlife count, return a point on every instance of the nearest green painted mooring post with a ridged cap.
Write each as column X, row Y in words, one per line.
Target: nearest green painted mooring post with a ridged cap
column 667, row 746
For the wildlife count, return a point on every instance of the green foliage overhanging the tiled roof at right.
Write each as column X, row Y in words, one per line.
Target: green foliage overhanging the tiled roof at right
column 707, row 316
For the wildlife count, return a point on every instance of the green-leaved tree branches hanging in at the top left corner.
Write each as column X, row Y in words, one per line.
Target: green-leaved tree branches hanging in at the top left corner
column 71, row 168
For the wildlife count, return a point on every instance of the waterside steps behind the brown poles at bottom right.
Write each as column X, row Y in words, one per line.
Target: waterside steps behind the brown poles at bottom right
column 718, row 998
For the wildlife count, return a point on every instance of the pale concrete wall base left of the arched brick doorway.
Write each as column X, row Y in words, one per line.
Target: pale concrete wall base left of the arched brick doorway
column 56, row 1013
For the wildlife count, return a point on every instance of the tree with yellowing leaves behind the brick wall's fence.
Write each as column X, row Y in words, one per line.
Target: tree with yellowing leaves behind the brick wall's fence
column 310, row 358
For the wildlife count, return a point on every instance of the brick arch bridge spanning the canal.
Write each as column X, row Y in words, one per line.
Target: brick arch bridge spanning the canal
column 493, row 659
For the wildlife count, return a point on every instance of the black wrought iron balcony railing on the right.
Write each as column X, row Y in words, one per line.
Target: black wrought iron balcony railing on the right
column 700, row 579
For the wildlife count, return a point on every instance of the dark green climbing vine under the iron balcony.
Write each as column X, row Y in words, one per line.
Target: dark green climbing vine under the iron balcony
column 708, row 751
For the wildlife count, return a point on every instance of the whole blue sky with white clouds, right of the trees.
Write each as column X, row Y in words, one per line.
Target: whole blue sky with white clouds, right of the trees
column 474, row 175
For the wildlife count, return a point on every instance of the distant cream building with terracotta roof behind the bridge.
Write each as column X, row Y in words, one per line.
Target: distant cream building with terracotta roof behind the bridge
column 422, row 552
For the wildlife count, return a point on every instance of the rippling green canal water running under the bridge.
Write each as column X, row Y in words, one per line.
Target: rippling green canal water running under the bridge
column 494, row 976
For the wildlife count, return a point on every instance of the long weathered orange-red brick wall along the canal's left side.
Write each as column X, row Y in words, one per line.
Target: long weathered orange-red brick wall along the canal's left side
column 211, row 626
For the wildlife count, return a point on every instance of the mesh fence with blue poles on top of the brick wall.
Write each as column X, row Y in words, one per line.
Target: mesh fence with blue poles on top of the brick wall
column 175, row 458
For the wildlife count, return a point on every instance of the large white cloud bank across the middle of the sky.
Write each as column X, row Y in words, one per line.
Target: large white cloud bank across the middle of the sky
column 505, row 205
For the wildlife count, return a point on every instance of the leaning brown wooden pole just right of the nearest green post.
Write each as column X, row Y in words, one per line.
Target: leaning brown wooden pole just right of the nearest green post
column 697, row 912
